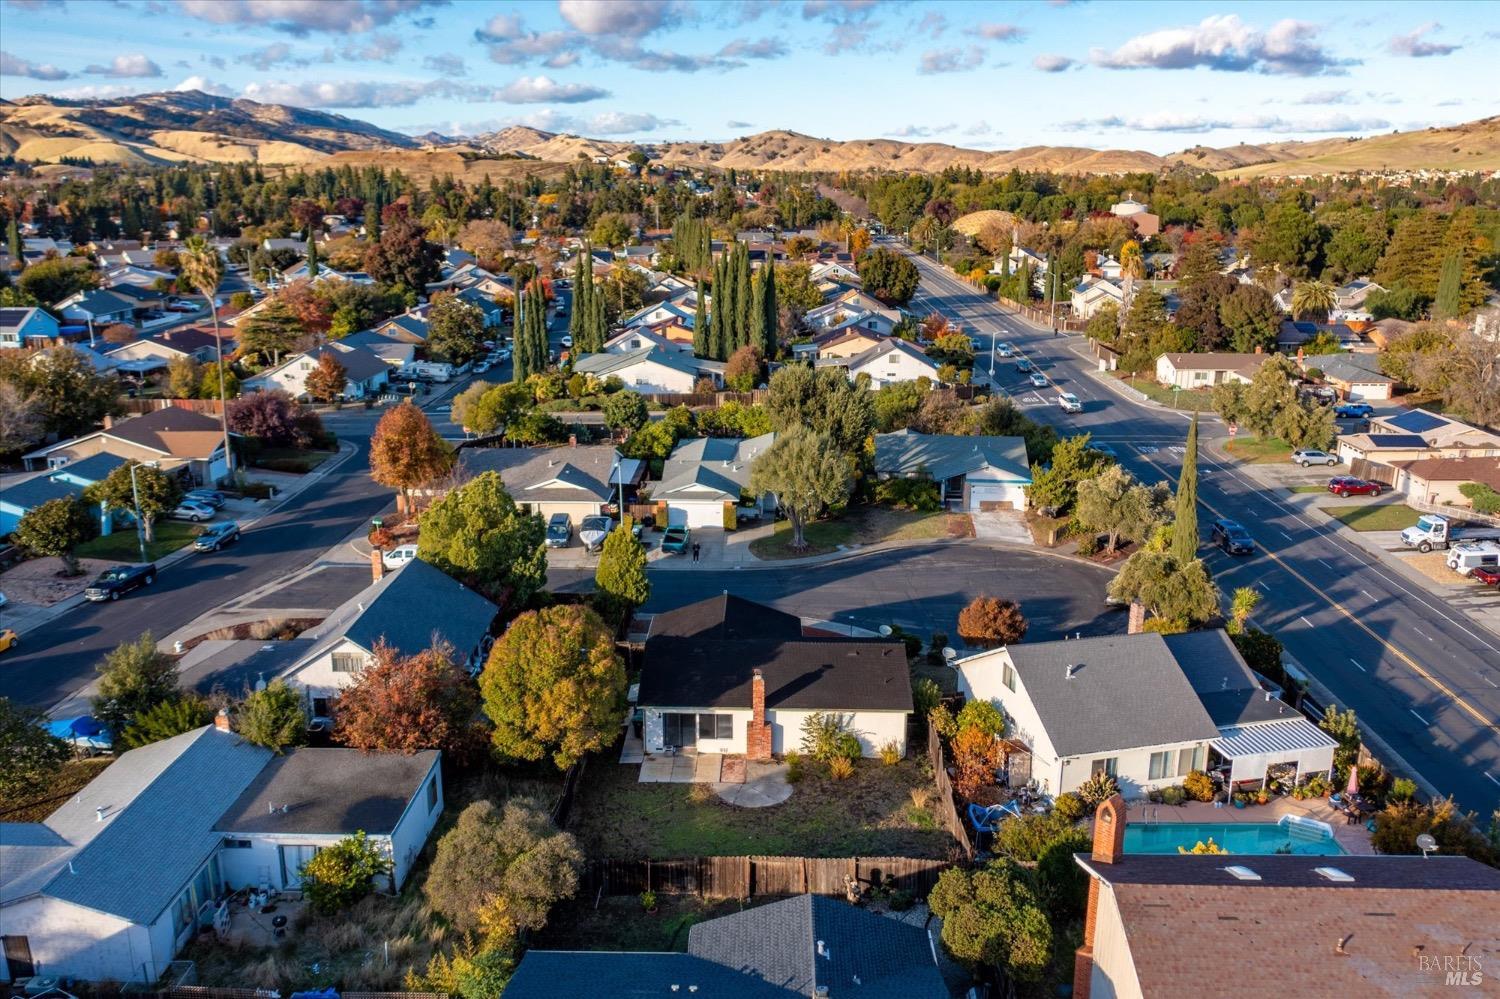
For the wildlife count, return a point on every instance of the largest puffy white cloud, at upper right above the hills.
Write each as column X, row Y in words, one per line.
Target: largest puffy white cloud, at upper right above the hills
column 1225, row 43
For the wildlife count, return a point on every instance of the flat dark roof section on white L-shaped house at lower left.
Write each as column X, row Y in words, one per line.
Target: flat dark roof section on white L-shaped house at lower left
column 329, row 791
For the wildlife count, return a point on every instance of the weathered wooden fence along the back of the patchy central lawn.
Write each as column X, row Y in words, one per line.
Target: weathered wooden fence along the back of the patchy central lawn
column 749, row 877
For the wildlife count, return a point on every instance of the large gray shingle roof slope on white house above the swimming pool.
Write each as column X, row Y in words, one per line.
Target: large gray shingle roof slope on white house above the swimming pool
column 1127, row 692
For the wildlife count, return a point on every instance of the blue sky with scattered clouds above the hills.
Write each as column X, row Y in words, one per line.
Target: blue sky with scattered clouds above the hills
column 991, row 76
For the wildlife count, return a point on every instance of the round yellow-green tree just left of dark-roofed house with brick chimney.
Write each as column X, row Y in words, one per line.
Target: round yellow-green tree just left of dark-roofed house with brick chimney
column 554, row 686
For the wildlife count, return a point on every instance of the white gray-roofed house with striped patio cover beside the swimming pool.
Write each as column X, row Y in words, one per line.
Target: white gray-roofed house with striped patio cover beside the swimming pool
column 1145, row 709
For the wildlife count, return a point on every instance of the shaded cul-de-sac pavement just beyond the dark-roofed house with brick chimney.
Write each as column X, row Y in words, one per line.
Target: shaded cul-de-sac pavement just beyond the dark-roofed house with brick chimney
column 919, row 589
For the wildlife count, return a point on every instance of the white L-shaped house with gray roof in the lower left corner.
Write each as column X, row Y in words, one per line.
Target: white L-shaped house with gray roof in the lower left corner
column 127, row 872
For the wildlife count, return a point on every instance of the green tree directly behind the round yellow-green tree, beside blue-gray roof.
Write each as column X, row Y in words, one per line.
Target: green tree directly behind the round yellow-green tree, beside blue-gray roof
column 478, row 535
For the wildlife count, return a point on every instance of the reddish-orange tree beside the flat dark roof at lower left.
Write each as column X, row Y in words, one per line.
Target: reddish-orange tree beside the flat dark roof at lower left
column 404, row 704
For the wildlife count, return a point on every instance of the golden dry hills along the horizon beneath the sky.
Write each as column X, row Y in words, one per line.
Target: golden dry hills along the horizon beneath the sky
column 194, row 127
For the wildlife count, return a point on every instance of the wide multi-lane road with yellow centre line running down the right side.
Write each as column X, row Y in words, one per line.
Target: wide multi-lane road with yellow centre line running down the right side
column 1421, row 676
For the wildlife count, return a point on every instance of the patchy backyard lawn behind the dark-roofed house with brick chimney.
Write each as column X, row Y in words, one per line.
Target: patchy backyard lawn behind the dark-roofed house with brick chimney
column 869, row 815
